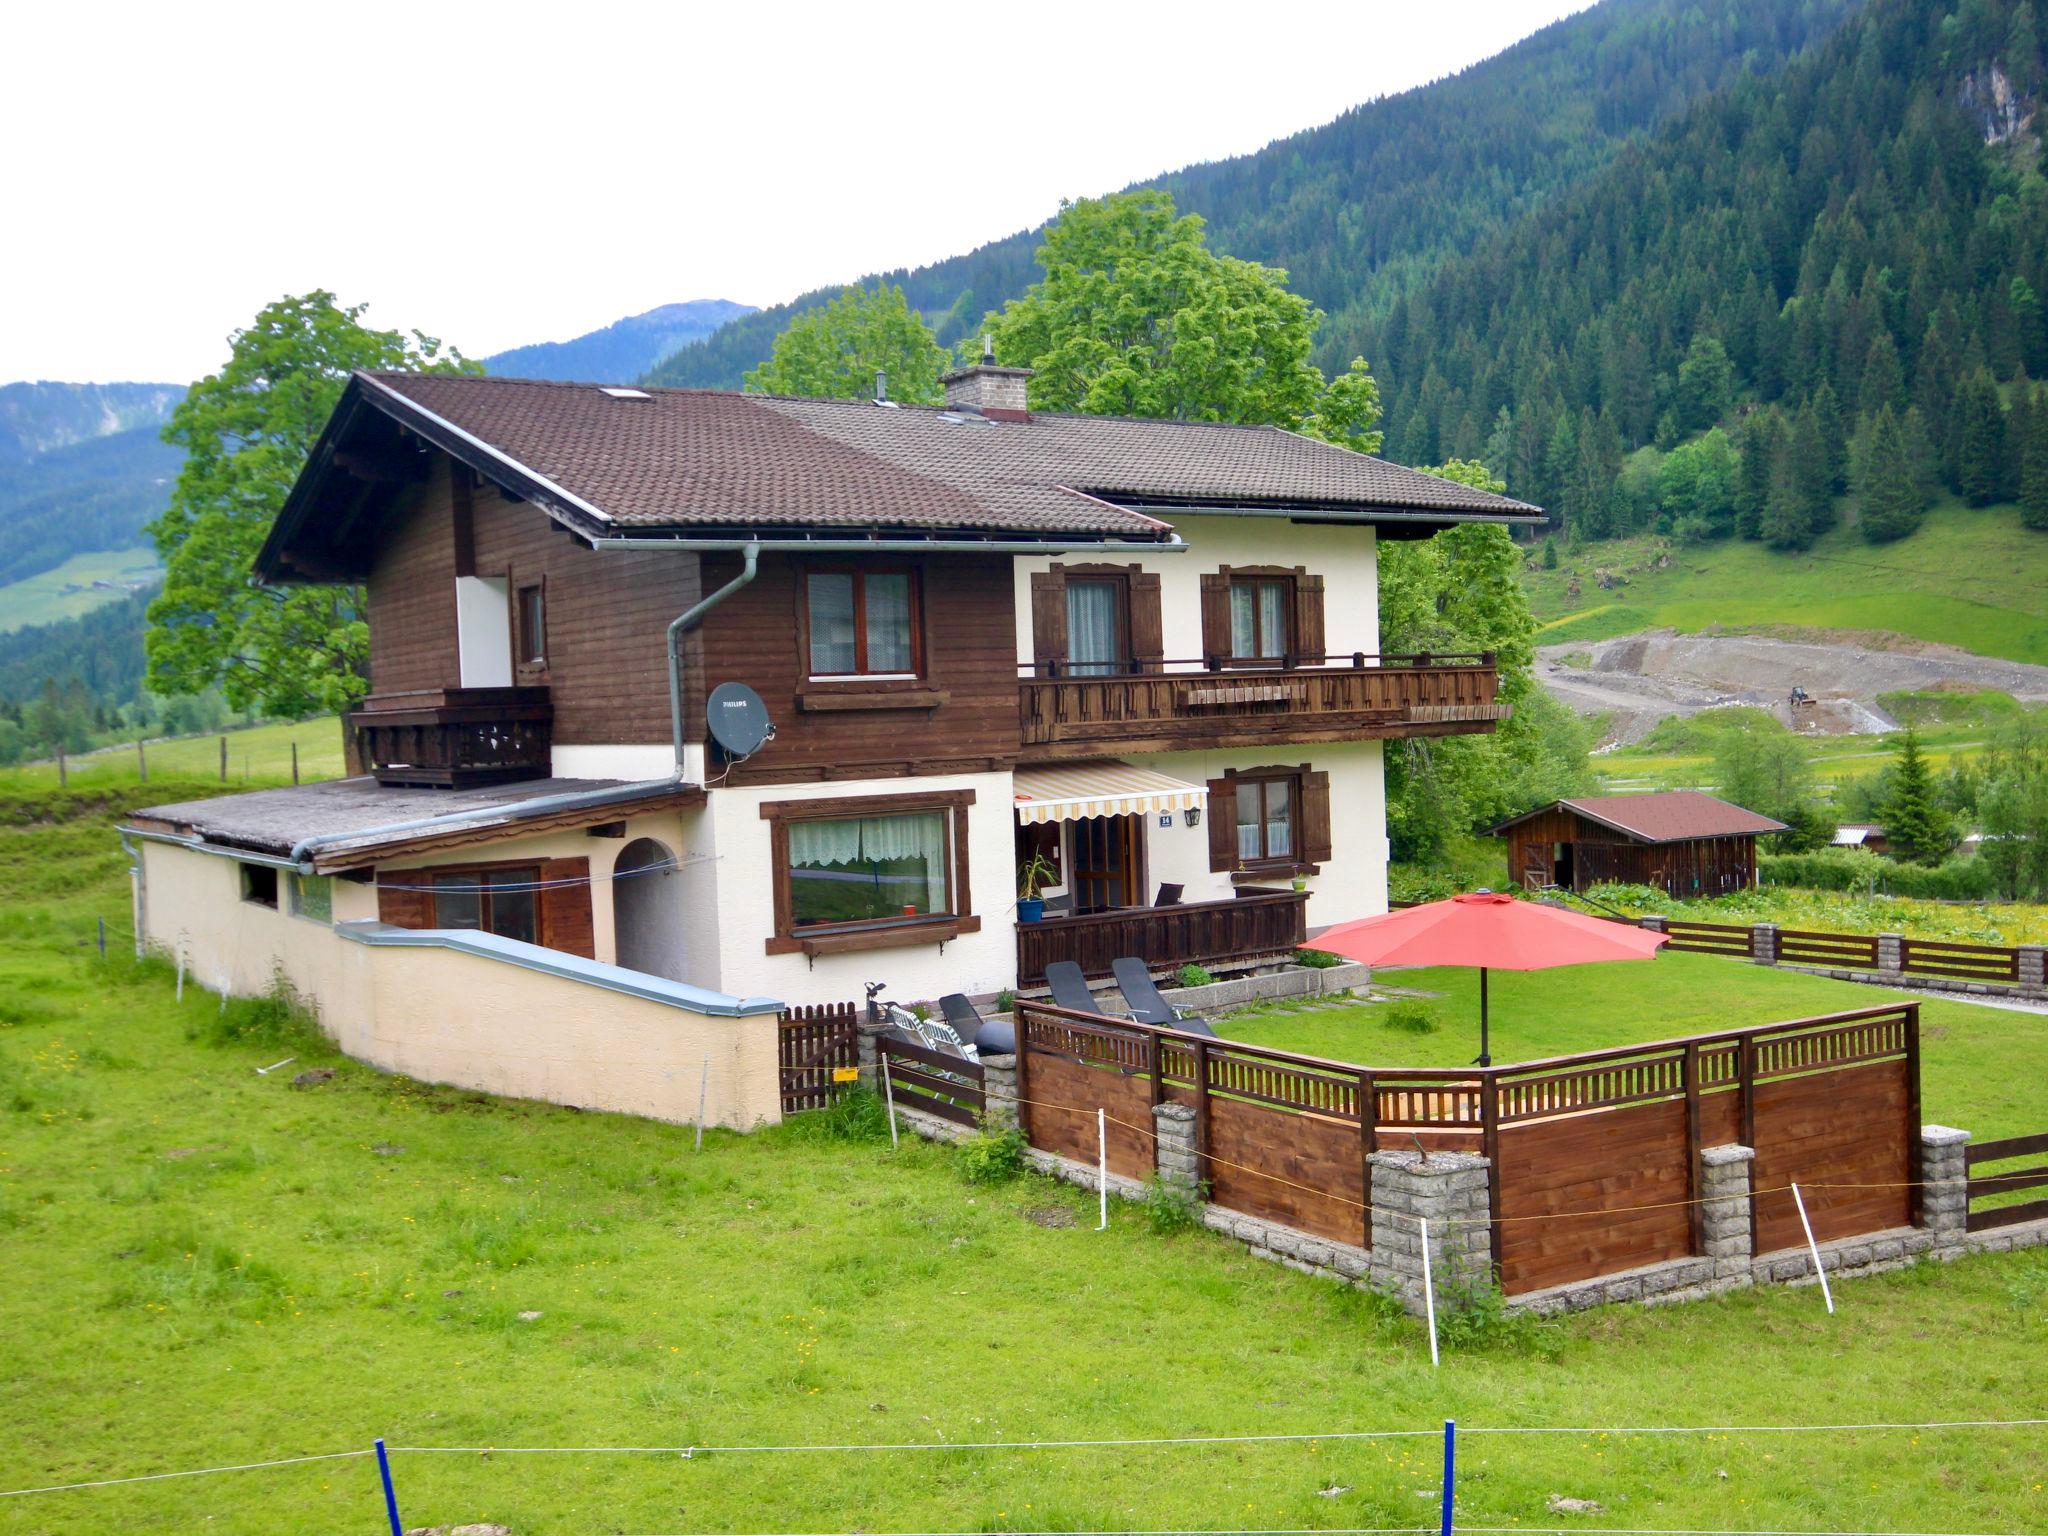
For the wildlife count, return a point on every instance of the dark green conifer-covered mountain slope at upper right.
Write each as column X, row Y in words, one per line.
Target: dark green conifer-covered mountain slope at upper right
column 1867, row 228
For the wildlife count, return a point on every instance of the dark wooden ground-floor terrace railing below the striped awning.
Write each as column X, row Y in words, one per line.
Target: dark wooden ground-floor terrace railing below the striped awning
column 1240, row 931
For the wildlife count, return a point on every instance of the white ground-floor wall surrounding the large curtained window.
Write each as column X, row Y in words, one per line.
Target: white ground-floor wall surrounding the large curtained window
column 738, row 886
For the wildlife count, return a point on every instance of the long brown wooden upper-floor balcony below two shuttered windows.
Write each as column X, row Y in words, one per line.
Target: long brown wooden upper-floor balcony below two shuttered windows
column 1160, row 706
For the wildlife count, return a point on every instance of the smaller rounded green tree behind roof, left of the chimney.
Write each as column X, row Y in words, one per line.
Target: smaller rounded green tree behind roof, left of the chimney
column 837, row 351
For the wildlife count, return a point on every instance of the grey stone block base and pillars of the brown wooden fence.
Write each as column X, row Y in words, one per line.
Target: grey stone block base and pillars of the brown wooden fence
column 1449, row 1193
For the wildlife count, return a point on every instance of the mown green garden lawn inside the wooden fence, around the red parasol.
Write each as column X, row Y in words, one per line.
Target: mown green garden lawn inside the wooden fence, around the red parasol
column 1983, row 1068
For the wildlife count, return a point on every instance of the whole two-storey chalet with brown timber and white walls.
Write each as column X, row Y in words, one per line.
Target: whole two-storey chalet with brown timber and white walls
column 716, row 703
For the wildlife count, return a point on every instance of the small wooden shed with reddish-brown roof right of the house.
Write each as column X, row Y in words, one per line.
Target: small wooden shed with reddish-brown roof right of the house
column 1689, row 843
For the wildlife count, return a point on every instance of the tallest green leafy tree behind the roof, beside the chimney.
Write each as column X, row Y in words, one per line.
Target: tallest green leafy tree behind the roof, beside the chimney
column 1136, row 316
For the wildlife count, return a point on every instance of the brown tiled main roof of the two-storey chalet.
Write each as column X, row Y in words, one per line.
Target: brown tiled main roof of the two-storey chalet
column 691, row 458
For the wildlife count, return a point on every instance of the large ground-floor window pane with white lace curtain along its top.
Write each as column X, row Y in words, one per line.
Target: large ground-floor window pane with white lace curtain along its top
column 865, row 869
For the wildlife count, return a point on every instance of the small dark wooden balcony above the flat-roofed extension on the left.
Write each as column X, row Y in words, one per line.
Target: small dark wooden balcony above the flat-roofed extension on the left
column 456, row 738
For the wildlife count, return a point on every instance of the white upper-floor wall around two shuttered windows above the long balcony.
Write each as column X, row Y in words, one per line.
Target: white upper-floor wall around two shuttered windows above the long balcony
column 1345, row 558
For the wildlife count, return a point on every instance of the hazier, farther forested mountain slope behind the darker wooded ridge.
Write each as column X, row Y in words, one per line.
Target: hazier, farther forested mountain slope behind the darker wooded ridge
column 1365, row 206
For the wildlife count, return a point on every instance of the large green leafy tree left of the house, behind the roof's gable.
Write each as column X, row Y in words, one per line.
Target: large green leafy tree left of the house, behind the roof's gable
column 247, row 433
